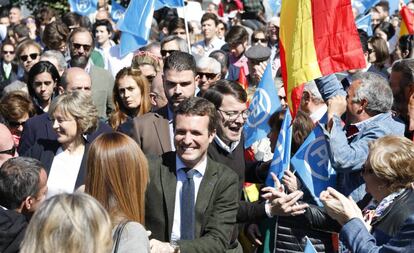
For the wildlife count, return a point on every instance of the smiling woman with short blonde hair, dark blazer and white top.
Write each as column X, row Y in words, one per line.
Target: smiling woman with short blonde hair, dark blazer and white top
column 73, row 115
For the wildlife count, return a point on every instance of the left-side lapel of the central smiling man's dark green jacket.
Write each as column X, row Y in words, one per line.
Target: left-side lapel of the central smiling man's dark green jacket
column 169, row 185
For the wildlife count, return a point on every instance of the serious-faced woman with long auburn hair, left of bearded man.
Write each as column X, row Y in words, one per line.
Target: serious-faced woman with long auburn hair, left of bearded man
column 130, row 96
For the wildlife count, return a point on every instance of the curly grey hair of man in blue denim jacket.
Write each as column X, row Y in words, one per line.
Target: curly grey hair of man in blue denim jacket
column 376, row 90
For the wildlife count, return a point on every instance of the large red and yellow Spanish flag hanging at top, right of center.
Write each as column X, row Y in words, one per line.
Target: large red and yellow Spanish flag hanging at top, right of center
column 317, row 38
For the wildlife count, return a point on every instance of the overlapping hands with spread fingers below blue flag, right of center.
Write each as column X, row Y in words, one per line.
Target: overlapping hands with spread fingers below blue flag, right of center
column 281, row 203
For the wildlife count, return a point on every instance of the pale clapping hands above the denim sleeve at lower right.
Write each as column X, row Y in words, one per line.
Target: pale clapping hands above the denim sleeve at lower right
column 340, row 207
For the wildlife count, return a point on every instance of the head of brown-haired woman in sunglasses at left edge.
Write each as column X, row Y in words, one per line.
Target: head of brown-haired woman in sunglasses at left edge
column 16, row 108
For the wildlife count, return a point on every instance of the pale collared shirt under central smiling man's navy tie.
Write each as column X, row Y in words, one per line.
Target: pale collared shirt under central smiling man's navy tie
column 181, row 177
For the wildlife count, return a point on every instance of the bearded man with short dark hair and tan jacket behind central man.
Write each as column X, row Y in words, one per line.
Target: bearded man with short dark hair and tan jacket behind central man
column 154, row 131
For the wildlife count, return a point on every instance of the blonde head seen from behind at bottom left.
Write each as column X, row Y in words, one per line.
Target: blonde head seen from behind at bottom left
column 69, row 223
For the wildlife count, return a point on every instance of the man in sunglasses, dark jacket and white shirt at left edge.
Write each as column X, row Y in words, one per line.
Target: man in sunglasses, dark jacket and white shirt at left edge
column 8, row 69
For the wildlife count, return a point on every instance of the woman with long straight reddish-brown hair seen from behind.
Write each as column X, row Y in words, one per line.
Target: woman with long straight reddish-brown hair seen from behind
column 117, row 176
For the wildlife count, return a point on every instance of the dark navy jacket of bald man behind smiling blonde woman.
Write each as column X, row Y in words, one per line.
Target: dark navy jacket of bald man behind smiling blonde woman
column 39, row 128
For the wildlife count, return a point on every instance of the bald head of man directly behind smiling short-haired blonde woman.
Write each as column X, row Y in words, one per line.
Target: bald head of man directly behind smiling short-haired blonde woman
column 76, row 79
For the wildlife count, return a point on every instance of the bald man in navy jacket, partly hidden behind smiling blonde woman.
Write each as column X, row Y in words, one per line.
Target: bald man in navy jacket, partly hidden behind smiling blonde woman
column 40, row 127
